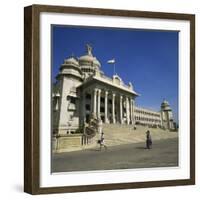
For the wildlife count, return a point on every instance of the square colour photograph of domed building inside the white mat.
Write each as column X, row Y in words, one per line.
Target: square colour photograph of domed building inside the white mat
column 114, row 99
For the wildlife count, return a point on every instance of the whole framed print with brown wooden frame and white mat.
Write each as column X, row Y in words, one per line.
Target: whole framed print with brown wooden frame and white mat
column 109, row 99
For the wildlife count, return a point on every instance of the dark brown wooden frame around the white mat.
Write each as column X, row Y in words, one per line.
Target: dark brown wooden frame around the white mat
column 32, row 94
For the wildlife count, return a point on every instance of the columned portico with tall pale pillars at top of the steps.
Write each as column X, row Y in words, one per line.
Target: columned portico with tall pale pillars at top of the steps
column 109, row 103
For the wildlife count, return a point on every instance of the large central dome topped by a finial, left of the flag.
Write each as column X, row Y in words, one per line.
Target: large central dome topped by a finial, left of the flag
column 88, row 63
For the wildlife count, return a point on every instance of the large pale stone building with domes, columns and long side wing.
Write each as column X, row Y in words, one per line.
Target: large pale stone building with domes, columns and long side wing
column 83, row 90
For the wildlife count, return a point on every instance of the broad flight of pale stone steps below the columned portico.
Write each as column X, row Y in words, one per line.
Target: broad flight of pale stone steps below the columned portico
column 117, row 134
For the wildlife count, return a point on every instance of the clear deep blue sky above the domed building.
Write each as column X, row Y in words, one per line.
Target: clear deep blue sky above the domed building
column 147, row 58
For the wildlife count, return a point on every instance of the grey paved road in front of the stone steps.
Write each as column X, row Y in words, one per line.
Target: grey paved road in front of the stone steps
column 164, row 153
